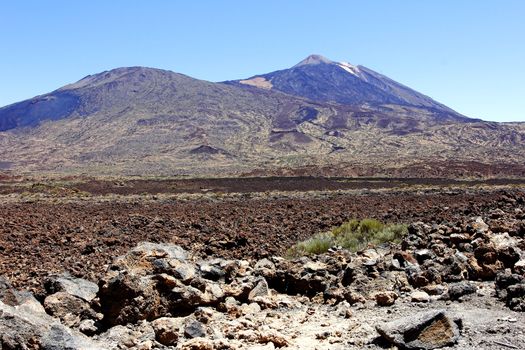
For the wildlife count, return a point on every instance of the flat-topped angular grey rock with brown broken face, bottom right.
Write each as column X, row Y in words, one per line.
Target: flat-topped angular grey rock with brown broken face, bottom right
column 426, row 330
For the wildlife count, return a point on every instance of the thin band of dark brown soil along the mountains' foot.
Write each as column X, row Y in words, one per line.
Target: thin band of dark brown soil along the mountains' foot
column 129, row 186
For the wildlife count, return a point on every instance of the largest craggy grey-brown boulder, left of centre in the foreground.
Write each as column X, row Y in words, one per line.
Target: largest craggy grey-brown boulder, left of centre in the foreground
column 162, row 280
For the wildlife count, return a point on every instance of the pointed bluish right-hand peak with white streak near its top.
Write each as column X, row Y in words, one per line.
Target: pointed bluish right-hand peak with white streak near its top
column 321, row 79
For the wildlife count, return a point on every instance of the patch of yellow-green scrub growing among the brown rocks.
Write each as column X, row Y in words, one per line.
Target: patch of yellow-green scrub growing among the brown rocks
column 353, row 235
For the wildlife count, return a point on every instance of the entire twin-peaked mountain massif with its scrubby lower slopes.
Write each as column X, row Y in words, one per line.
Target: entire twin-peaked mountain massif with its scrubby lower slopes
column 314, row 118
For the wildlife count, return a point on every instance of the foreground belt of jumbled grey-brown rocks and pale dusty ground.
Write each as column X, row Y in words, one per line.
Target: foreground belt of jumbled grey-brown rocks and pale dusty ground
column 456, row 284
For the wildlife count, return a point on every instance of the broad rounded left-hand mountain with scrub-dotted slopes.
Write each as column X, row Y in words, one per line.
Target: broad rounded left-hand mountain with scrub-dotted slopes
column 143, row 119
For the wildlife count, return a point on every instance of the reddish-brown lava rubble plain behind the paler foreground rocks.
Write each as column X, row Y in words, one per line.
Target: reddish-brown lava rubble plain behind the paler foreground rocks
column 82, row 236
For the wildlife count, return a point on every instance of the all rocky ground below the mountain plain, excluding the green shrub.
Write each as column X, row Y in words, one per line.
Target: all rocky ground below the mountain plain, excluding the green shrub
column 457, row 279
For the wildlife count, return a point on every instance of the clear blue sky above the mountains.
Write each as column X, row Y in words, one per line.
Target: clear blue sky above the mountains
column 469, row 55
